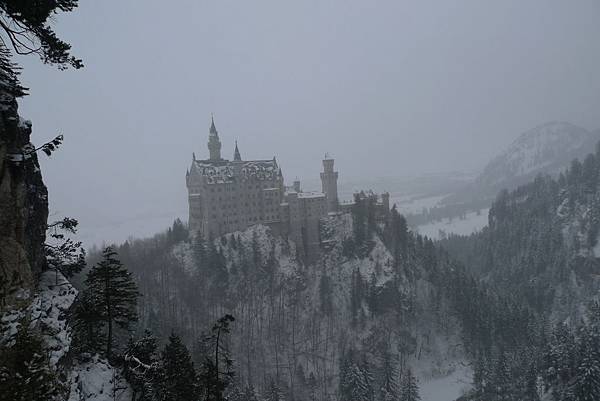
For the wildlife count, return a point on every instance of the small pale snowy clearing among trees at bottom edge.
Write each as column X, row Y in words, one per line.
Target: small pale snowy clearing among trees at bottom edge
column 447, row 388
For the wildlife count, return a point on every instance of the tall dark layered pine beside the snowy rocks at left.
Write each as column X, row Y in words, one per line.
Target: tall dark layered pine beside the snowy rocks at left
column 113, row 293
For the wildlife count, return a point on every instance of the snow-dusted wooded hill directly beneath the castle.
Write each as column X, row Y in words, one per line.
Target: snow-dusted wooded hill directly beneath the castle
column 297, row 322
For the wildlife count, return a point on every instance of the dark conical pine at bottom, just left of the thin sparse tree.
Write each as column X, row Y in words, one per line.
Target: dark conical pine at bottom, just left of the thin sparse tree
column 177, row 379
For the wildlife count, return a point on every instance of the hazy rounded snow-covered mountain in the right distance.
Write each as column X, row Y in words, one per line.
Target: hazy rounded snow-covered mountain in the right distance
column 546, row 149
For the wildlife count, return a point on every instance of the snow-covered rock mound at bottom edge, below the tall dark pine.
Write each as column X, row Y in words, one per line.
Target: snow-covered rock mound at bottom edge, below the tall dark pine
column 97, row 380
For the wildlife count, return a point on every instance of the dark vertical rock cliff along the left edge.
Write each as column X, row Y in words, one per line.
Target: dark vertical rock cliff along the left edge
column 23, row 204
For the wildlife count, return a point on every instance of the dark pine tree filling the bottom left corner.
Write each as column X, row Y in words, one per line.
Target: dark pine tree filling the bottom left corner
column 25, row 373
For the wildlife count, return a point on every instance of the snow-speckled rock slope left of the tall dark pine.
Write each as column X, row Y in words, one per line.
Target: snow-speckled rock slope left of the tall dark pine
column 48, row 312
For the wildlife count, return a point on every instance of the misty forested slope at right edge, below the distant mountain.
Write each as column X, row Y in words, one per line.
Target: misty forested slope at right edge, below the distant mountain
column 541, row 243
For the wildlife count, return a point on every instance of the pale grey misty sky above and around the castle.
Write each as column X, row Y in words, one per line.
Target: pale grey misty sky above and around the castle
column 387, row 87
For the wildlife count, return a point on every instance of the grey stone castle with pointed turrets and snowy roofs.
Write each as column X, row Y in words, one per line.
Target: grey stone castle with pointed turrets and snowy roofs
column 231, row 195
